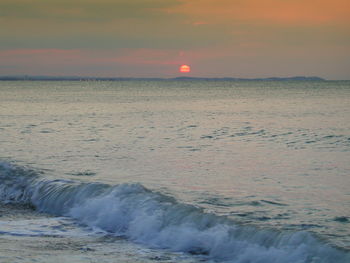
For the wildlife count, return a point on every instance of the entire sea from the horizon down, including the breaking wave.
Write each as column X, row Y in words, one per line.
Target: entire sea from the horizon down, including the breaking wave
column 175, row 171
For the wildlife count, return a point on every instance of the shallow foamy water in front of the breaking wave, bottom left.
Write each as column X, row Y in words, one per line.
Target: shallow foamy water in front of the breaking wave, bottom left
column 78, row 246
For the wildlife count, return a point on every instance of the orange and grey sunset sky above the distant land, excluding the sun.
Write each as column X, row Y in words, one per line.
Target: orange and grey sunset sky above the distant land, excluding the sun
column 152, row 38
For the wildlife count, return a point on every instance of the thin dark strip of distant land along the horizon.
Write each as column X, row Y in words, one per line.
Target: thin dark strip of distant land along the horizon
column 77, row 78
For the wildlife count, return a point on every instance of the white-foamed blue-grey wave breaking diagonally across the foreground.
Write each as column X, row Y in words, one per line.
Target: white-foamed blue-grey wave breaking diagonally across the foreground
column 159, row 221
